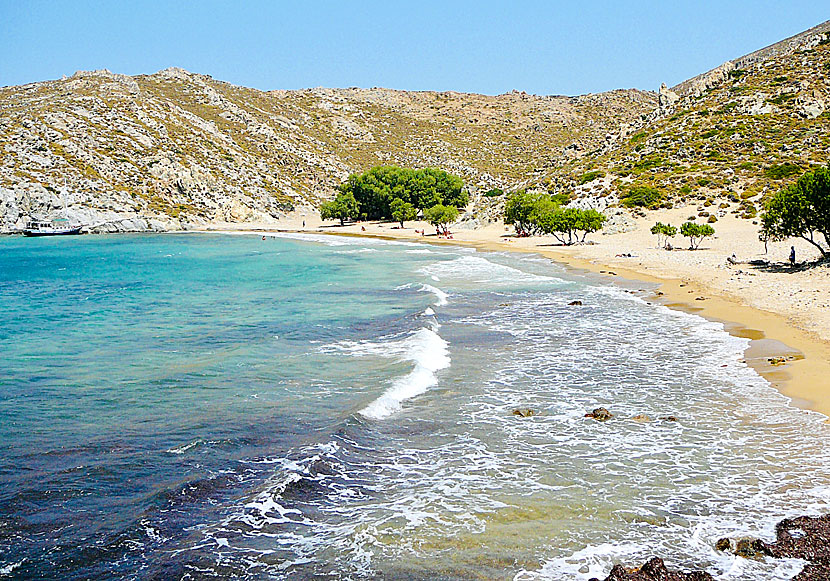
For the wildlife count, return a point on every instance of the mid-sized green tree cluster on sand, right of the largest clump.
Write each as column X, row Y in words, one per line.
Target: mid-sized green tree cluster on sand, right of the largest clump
column 538, row 213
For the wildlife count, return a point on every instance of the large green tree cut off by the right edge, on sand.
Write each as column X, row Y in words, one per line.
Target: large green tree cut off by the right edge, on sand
column 801, row 210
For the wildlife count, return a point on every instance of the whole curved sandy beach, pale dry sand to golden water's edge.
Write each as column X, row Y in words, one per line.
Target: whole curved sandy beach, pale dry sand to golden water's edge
column 784, row 311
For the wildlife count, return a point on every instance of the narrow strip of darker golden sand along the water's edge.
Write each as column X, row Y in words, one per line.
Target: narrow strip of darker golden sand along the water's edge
column 771, row 335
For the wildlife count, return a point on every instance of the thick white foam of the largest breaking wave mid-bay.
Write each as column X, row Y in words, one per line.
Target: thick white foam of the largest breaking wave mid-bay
column 429, row 353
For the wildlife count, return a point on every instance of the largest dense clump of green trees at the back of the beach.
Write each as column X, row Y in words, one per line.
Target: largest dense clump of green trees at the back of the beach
column 394, row 193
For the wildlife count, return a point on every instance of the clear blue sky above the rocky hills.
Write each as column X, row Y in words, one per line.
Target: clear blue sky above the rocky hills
column 572, row 47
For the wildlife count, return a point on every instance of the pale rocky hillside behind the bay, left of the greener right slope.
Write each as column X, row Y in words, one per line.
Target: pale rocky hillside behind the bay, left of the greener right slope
column 177, row 150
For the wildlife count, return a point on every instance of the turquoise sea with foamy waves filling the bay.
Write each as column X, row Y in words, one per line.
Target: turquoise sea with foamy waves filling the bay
column 193, row 406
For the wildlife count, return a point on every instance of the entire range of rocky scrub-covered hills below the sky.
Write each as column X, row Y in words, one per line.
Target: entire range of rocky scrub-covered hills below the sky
column 179, row 150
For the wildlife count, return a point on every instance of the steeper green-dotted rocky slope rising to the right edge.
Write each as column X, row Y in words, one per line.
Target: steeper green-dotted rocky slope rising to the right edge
column 724, row 139
